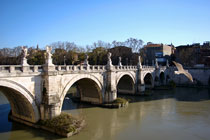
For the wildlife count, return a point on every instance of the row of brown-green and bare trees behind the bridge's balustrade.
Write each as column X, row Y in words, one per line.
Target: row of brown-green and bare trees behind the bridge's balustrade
column 69, row 53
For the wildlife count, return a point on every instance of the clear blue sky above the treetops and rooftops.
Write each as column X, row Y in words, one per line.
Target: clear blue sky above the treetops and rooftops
column 31, row 22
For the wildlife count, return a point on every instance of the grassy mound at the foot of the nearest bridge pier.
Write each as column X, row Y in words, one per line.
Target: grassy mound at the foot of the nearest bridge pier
column 63, row 123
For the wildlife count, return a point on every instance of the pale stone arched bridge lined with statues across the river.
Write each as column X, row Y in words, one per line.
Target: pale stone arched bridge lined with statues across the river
column 37, row 91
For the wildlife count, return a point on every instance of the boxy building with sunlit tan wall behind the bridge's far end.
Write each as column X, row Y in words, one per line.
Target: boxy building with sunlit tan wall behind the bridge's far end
column 160, row 52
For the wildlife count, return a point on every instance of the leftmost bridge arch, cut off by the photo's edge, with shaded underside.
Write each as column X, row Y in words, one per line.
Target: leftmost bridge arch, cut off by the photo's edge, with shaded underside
column 22, row 102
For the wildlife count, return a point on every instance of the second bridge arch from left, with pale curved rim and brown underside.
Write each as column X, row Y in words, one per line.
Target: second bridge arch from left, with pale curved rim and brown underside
column 87, row 83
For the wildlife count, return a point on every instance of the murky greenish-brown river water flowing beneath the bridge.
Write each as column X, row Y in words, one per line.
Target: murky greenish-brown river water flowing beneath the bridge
column 179, row 114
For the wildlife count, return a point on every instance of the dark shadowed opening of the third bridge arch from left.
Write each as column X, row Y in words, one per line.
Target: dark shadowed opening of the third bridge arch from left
column 126, row 85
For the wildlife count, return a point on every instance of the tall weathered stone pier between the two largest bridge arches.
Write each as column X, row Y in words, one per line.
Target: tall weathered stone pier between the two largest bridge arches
column 50, row 105
